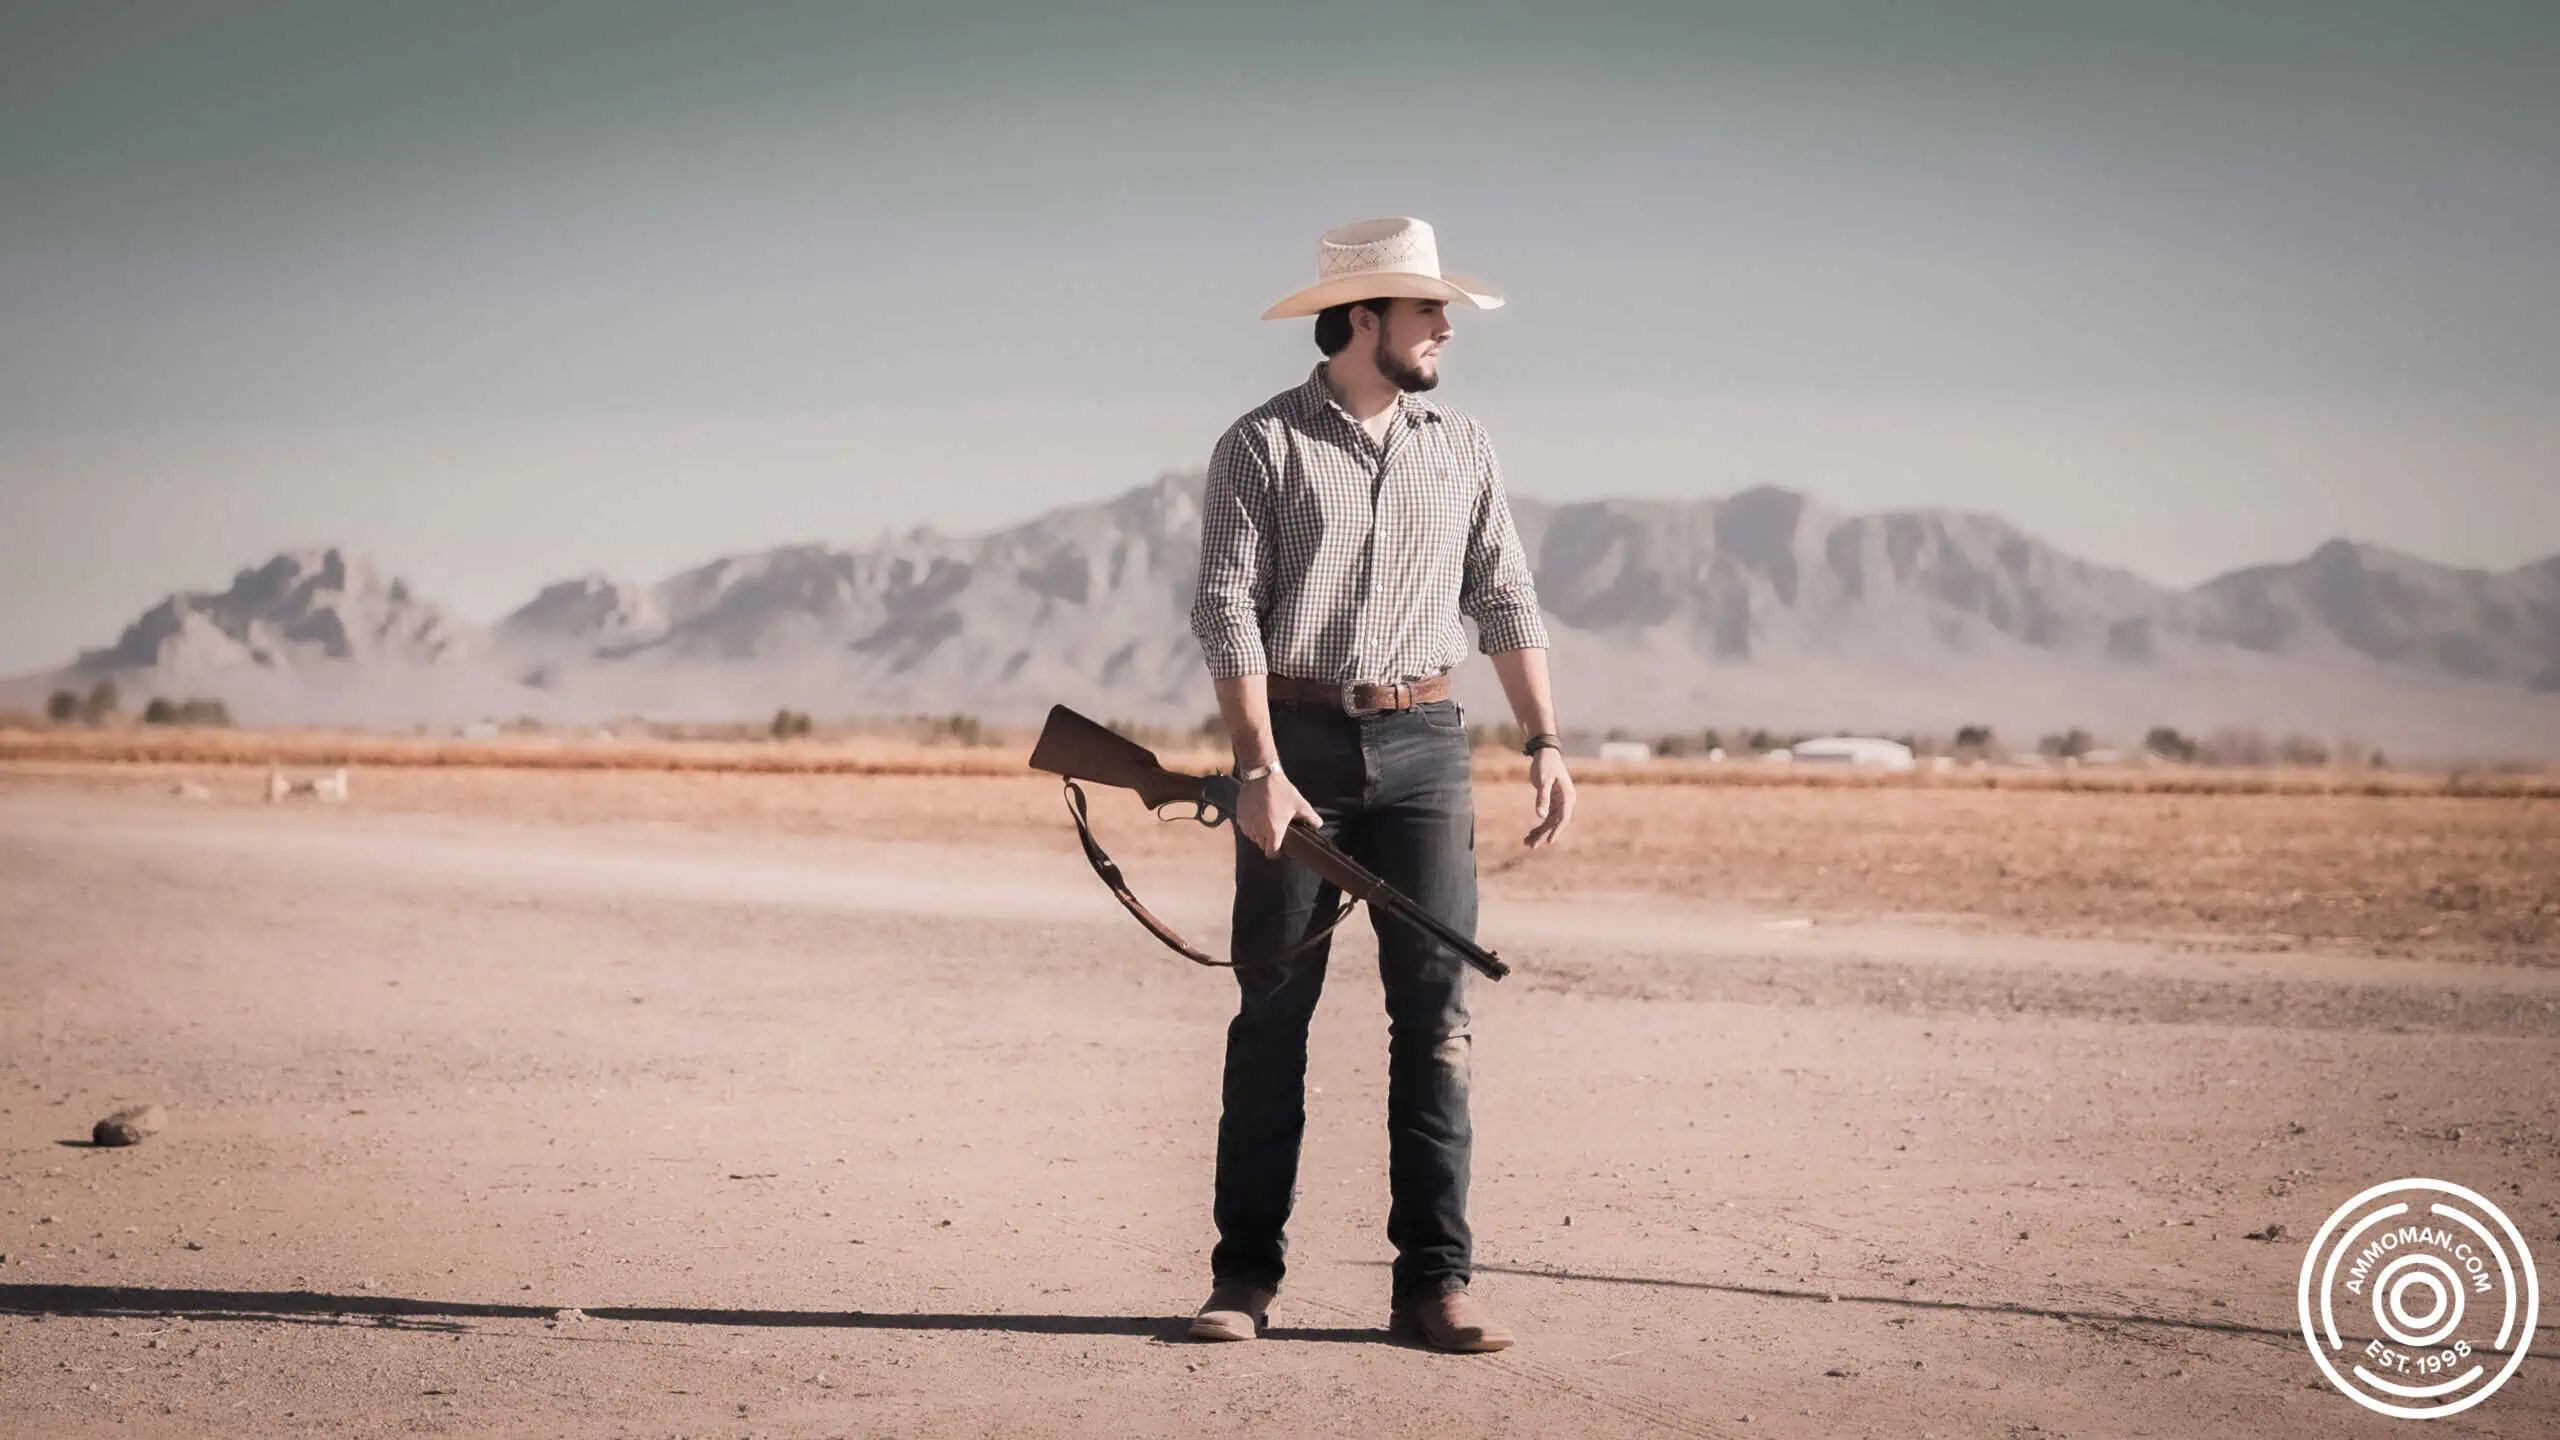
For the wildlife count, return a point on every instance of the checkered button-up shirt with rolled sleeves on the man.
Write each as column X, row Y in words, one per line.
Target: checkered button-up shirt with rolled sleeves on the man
column 1338, row 560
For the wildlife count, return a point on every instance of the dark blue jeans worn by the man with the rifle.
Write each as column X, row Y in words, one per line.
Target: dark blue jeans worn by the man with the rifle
column 1396, row 796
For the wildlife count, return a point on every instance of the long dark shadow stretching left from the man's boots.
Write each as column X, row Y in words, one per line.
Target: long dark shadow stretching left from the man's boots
column 398, row 1313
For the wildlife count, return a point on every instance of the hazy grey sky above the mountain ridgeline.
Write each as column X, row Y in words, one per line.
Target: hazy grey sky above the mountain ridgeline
column 503, row 293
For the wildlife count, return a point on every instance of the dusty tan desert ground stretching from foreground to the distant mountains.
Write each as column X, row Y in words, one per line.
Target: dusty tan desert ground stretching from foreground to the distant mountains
column 718, row 1103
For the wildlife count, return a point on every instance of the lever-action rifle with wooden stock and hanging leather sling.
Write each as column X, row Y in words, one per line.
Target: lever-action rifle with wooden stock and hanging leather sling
column 1079, row 749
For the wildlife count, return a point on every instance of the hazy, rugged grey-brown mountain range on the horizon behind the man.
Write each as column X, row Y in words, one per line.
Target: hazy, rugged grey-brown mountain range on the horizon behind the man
column 1757, row 609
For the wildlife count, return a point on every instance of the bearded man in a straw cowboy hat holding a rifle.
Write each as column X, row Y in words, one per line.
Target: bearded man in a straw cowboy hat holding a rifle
column 1345, row 532
